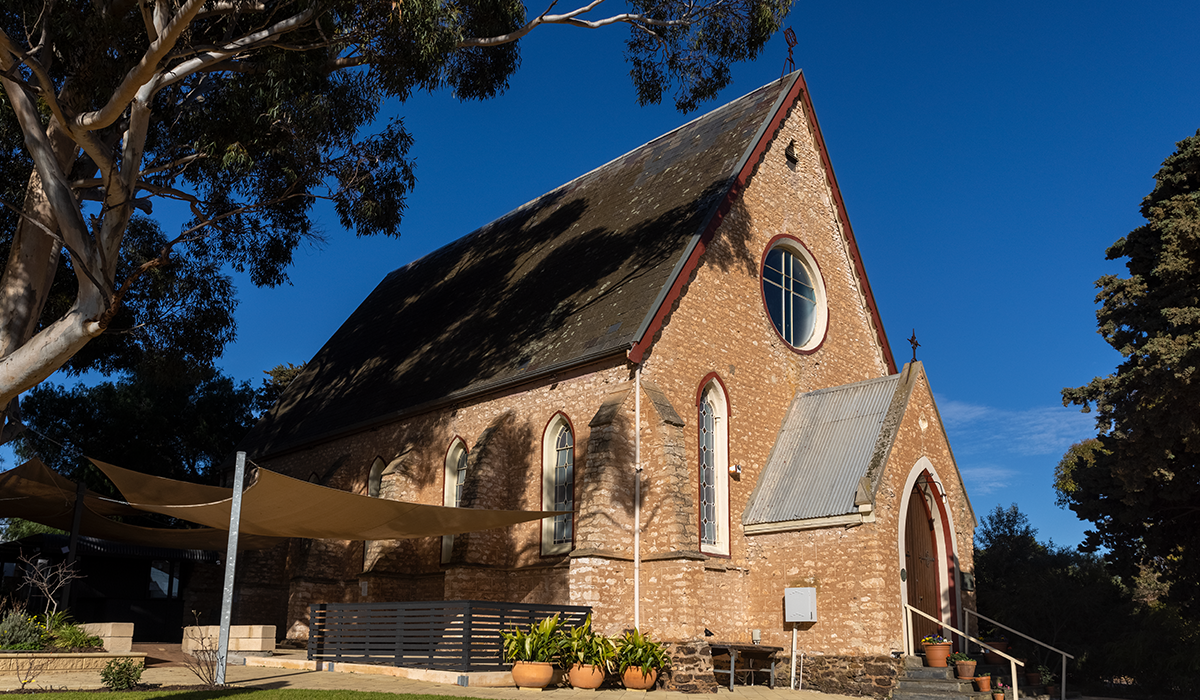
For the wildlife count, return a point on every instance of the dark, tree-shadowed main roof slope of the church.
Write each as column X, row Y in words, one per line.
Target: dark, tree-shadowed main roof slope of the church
column 568, row 278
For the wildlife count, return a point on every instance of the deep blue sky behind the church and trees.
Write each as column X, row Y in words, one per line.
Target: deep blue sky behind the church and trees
column 988, row 155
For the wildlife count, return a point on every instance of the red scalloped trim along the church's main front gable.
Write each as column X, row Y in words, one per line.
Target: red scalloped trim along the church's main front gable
column 799, row 91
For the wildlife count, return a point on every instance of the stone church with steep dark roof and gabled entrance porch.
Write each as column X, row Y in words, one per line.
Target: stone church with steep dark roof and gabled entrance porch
column 682, row 350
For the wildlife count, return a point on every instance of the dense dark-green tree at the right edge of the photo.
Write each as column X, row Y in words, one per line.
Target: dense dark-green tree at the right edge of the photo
column 1139, row 481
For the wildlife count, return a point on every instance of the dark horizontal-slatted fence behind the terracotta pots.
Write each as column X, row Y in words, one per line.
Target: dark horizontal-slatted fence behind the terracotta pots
column 449, row 636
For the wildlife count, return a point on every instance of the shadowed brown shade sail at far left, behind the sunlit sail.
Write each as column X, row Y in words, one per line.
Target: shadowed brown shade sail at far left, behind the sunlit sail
column 37, row 493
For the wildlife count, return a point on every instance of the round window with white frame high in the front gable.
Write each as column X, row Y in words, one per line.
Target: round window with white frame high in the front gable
column 794, row 294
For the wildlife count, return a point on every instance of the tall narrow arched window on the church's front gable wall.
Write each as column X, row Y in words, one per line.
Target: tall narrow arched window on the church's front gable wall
column 715, row 468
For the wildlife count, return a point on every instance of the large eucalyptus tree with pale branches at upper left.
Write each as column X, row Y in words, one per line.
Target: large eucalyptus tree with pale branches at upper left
column 248, row 111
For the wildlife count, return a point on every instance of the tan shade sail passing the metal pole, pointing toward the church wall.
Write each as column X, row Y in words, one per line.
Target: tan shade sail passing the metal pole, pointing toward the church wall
column 278, row 506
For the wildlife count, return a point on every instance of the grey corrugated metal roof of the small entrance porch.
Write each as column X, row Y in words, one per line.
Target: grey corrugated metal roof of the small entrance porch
column 831, row 452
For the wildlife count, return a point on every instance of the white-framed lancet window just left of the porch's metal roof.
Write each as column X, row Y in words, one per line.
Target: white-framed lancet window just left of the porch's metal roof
column 715, row 394
